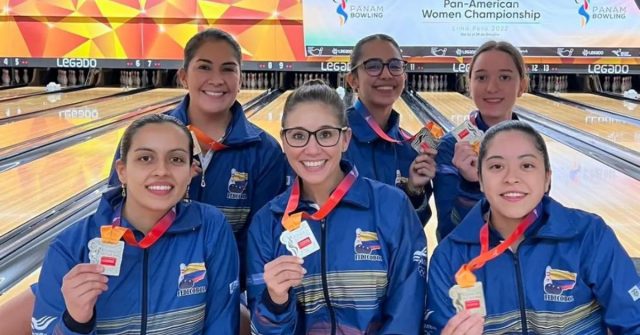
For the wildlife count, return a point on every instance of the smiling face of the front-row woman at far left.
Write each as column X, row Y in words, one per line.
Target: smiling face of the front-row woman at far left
column 157, row 169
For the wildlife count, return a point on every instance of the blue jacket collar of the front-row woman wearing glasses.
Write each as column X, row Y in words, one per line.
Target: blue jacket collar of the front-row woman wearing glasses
column 358, row 195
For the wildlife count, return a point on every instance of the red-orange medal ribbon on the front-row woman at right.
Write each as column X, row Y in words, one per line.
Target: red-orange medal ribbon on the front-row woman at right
column 465, row 277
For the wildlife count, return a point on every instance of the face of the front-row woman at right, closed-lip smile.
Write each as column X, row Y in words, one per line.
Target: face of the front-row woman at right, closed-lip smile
column 513, row 176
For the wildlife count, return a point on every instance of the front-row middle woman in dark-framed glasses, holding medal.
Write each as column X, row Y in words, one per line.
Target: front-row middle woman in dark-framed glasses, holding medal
column 336, row 253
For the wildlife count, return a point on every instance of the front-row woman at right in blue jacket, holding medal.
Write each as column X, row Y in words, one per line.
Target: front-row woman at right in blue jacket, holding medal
column 540, row 267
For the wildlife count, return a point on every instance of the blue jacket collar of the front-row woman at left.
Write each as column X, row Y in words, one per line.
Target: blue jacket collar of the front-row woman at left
column 186, row 220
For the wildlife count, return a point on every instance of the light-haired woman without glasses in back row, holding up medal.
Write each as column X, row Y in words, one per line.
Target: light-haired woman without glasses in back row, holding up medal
column 497, row 78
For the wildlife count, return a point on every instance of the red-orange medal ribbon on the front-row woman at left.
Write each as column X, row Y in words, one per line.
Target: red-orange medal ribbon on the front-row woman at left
column 113, row 234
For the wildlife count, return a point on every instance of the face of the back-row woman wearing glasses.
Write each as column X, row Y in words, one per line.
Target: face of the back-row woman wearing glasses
column 377, row 91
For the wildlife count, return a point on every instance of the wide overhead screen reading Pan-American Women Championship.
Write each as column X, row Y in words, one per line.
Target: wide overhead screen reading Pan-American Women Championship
column 564, row 28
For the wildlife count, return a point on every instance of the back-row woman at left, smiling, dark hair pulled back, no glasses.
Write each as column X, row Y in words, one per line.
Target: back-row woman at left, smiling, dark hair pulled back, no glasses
column 241, row 166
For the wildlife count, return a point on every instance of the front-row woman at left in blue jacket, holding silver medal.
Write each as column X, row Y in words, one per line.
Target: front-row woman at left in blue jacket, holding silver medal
column 178, row 270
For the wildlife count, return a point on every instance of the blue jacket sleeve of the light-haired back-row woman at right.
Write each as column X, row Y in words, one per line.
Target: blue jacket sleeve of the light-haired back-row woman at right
column 454, row 196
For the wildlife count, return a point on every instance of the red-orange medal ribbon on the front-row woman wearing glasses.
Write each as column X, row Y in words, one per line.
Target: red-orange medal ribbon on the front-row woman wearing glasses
column 292, row 222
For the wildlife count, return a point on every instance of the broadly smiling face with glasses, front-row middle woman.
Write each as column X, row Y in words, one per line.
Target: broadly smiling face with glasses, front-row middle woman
column 313, row 163
